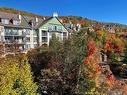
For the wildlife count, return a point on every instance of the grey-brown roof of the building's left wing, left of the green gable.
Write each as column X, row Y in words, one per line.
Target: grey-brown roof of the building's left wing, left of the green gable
column 24, row 20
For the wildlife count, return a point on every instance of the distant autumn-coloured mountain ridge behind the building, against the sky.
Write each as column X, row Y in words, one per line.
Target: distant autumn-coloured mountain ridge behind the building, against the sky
column 85, row 22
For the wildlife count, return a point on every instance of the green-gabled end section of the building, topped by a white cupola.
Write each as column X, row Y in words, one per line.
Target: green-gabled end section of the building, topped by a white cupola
column 49, row 27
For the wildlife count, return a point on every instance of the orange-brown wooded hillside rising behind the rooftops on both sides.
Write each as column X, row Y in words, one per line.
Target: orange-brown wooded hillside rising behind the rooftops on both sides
column 74, row 19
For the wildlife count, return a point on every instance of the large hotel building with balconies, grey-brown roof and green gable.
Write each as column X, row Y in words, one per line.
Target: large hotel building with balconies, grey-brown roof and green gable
column 19, row 33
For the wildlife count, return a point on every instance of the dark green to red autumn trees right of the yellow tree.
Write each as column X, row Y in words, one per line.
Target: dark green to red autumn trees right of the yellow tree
column 73, row 66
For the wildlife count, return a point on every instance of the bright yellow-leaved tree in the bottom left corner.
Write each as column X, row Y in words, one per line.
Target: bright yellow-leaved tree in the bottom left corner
column 16, row 77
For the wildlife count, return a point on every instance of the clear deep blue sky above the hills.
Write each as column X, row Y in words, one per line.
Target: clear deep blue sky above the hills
column 100, row 10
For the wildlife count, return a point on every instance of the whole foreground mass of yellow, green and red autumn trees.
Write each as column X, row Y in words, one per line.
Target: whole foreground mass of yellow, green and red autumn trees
column 76, row 66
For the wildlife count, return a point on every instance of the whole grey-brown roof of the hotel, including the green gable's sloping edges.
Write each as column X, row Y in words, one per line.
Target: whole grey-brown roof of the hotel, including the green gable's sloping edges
column 25, row 21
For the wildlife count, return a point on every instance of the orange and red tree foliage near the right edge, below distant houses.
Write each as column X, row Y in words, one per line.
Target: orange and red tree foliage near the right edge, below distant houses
column 113, row 43
